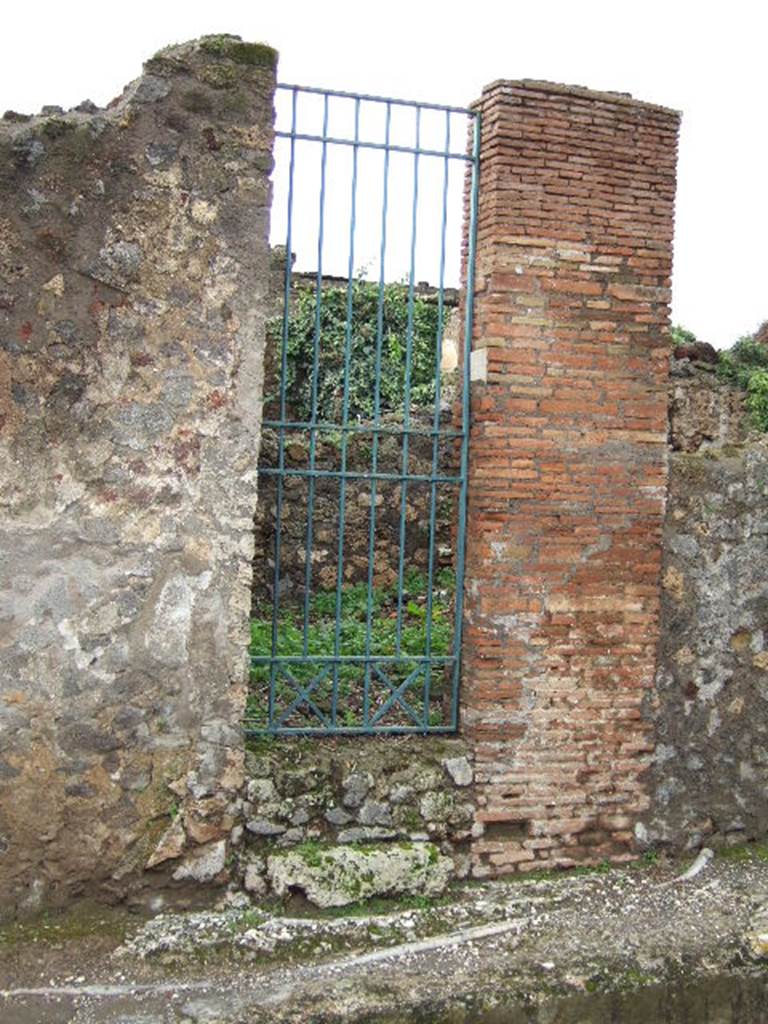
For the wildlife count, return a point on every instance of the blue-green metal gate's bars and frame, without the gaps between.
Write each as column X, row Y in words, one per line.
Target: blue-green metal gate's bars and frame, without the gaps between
column 280, row 664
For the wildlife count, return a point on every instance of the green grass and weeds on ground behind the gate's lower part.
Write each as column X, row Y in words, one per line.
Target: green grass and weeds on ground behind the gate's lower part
column 364, row 627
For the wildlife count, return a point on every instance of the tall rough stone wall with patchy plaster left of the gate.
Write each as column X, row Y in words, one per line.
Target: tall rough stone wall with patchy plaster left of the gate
column 134, row 282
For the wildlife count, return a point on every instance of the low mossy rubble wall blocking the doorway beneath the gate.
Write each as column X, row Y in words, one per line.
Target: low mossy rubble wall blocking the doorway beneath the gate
column 381, row 792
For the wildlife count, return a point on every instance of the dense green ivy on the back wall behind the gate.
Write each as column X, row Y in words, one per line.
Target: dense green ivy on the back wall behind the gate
column 401, row 330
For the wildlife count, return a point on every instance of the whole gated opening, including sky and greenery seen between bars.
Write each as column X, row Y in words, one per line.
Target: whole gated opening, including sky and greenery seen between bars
column 366, row 656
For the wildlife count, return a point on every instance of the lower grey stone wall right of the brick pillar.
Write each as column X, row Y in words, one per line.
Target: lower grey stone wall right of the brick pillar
column 708, row 780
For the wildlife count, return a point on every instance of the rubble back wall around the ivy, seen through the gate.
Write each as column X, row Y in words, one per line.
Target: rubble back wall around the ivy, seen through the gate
column 358, row 508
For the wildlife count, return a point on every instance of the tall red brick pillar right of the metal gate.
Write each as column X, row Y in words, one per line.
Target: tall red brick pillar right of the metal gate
column 568, row 468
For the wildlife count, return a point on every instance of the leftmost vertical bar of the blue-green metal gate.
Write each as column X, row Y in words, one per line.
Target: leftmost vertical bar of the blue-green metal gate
column 282, row 430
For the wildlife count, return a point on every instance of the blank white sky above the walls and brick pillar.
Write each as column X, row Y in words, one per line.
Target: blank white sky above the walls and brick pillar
column 710, row 61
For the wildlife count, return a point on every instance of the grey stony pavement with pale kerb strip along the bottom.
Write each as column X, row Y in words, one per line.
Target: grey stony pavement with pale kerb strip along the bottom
column 620, row 948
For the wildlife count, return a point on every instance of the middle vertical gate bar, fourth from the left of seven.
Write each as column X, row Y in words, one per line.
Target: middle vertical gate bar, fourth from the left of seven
column 377, row 415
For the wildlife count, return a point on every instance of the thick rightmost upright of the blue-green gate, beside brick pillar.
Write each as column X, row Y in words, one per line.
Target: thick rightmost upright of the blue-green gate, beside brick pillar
column 468, row 314
